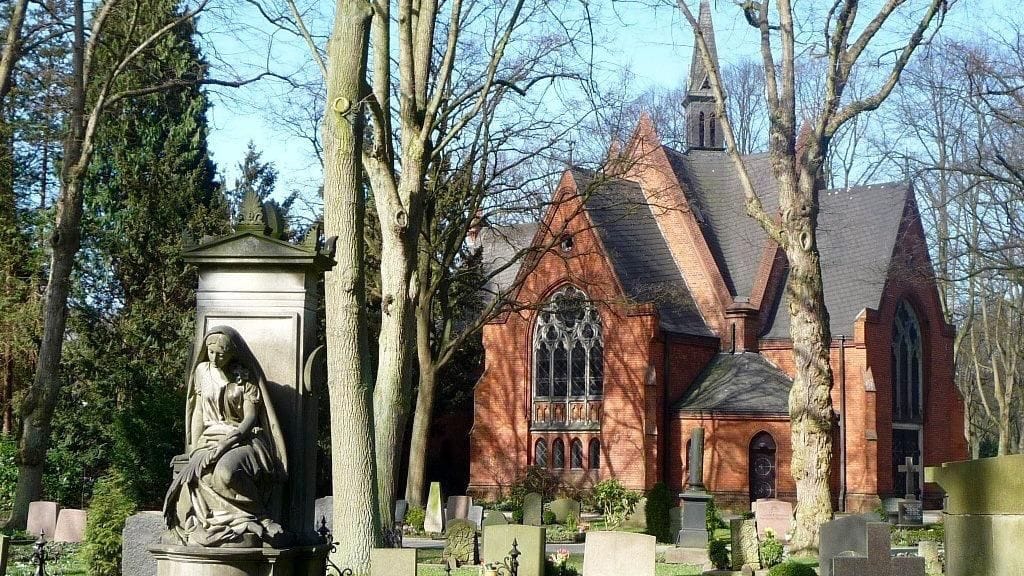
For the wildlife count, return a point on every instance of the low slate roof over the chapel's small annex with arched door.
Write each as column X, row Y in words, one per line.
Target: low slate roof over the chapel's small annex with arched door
column 739, row 384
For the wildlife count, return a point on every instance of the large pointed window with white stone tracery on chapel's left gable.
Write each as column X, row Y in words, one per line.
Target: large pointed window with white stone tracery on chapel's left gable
column 569, row 349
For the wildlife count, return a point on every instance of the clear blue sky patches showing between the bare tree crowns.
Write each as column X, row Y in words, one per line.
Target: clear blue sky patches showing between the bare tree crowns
column 654, row 44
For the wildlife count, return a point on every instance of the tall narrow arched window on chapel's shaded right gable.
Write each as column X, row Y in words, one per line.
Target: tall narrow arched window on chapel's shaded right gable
column 907, row 367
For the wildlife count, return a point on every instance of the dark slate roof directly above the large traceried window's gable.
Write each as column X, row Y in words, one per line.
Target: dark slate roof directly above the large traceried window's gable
column 638, row 253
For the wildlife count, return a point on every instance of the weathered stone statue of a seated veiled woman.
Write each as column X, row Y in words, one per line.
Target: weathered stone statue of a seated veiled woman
column 225, row 495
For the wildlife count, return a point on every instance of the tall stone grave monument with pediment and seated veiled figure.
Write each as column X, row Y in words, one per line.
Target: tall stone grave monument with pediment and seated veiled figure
column 242, row 499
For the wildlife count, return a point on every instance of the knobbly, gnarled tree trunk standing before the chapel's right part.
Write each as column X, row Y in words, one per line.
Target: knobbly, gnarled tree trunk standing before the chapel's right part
column 810, row 400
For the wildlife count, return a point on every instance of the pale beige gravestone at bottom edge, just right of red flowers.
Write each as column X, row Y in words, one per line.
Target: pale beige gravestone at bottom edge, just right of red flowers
column 619, row 554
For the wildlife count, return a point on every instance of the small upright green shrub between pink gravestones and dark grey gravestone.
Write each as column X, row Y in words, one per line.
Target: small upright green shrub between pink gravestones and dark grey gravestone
column 112, row 504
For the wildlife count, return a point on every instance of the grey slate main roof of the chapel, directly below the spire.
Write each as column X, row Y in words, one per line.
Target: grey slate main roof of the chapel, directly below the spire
column 713, row 187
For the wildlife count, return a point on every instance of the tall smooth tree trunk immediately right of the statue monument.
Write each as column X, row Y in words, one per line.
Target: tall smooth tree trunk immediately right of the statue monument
column 357, row 523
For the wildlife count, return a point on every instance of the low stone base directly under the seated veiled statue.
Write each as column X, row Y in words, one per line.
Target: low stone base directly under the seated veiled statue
column 196, row 561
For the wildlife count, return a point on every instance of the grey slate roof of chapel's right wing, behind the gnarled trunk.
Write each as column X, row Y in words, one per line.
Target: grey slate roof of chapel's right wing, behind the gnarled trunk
column 858, row 233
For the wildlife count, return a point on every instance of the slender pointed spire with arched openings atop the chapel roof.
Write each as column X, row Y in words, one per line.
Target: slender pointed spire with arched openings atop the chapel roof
column 704, row 131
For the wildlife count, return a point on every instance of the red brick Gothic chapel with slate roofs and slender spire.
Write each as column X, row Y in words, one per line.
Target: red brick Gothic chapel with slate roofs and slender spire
column 656, row 306
